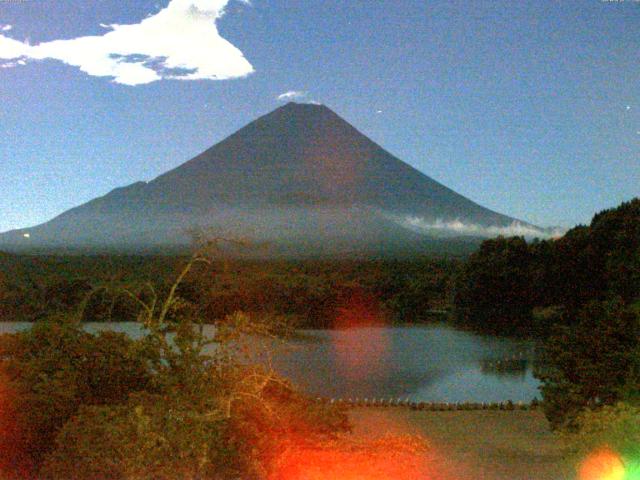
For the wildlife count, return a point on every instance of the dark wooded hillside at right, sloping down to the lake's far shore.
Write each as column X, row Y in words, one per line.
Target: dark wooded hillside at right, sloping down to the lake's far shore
column 511, row 287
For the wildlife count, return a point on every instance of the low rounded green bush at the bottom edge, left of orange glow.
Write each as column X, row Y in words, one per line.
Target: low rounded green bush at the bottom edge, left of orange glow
column 151, row 436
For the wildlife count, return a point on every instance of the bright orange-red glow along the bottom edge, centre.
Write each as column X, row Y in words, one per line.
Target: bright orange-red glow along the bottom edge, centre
column 398, row 458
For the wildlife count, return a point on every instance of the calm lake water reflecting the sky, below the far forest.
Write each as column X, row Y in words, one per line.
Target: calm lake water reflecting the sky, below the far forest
column 434, row 363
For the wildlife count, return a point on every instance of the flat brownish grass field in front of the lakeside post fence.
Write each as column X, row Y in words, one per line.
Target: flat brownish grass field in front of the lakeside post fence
column 475, row 445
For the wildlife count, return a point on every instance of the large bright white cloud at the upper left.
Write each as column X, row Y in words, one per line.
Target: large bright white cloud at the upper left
column 180, row 42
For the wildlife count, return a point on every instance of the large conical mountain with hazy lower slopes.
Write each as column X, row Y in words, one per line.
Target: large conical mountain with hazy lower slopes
column 299, row 176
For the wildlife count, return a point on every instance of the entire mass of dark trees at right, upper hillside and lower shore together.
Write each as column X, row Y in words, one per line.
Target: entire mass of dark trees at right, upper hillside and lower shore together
column 580, row 294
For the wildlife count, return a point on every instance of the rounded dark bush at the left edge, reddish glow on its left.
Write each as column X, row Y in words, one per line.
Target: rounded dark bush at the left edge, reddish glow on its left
column 54, row 368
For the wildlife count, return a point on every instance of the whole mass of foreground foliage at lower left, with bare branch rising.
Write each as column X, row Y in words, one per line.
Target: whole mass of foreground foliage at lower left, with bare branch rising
column 77, row 405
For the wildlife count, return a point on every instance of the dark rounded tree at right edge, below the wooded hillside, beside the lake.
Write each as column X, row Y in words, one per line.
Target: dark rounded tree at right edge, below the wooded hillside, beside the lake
column 590, row 362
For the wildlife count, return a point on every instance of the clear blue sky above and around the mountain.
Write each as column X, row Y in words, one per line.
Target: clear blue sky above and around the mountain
column 530, row 108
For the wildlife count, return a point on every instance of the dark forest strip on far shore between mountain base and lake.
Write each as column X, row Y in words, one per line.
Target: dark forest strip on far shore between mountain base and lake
column 309, row 293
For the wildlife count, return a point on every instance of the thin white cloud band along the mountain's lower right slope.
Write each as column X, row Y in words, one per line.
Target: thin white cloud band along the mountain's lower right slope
column 457, row 227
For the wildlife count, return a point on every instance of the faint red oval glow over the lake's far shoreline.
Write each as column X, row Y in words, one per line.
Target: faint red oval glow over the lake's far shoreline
column 358, row 355
